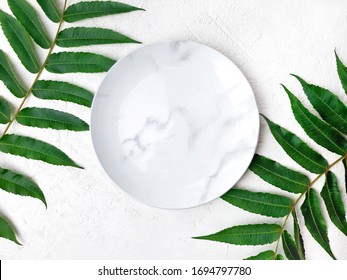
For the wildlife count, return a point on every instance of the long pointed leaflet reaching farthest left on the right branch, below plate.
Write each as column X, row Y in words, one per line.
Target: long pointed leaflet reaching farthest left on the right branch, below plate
column 258, row 234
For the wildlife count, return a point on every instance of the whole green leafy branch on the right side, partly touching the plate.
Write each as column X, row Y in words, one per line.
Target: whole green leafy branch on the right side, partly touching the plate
column 328, row 129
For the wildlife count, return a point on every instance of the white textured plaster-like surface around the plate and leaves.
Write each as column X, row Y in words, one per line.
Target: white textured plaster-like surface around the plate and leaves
column 90, row 218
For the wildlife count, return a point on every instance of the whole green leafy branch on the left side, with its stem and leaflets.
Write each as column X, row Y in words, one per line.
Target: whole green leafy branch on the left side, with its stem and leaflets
column 23, row 30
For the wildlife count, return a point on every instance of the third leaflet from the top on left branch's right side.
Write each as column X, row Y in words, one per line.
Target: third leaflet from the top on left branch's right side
column 71, row 62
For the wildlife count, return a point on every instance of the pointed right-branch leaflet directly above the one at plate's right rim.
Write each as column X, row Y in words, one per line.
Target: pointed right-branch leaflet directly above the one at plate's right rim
column 321, row 132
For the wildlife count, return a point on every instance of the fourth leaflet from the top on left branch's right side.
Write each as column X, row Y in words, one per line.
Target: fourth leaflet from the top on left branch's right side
column 55, row 90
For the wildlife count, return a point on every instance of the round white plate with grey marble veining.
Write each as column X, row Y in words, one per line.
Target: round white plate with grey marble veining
column 175, row 124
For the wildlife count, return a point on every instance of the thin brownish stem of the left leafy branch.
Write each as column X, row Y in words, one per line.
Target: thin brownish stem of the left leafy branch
column 38, row 75
